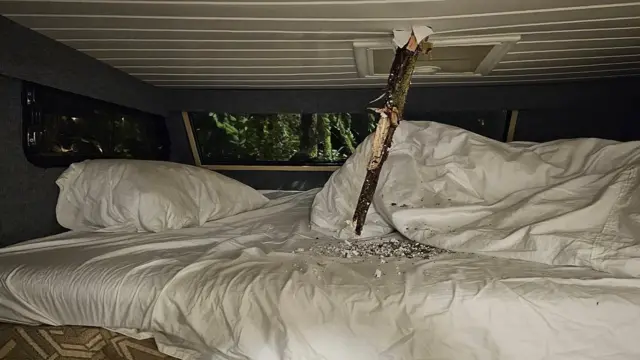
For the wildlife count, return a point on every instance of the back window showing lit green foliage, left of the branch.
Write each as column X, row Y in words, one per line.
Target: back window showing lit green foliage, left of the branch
column 286, row 138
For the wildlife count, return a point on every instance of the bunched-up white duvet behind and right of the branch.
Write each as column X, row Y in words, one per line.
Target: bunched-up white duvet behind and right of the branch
column 566, row 202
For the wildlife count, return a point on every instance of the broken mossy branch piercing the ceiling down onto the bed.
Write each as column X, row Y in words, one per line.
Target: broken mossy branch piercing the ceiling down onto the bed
column 390, row 115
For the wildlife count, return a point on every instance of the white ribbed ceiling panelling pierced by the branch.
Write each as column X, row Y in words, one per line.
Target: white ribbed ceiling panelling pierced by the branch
column 302, row 44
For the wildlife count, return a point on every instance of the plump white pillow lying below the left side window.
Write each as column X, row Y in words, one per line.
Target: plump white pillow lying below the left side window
column 136, row 195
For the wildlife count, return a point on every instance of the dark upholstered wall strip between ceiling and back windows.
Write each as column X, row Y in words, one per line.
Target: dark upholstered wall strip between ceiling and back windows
column 577, row 94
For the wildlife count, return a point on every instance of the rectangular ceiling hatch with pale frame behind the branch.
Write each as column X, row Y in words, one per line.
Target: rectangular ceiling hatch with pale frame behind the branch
column 457, row 57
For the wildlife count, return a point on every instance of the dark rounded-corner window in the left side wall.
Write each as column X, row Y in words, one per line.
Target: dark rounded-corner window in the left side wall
column 60, row 128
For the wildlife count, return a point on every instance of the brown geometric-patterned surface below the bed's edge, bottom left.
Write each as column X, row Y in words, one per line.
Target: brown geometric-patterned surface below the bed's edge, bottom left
column 72, row 343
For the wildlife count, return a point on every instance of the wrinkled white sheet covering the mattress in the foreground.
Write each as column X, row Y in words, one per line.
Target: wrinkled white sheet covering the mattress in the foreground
column 234, row 290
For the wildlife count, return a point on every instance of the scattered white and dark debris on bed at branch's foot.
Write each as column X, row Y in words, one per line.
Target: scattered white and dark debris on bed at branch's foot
column 383, row 249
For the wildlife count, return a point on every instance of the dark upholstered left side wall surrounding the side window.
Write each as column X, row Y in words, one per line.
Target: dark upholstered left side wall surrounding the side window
column 28, row 194
